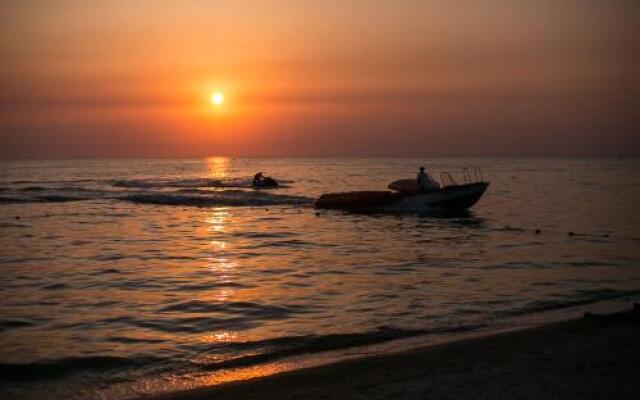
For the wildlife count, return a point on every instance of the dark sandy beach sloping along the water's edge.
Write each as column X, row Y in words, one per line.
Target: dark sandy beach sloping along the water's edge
column 594, row 357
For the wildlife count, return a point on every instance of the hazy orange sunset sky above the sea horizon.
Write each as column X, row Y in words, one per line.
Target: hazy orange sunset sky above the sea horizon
column 319, row 78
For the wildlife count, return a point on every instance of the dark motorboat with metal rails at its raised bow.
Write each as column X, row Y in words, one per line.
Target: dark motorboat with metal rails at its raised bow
column 406, row 196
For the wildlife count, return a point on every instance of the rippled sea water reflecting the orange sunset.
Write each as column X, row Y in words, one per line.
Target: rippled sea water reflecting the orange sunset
column 126, row 277
